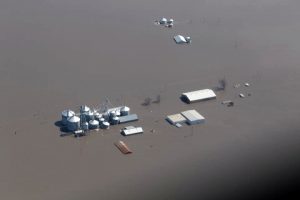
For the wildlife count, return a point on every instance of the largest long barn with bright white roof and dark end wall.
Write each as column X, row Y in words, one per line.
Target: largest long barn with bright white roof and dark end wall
column 198, row 95
